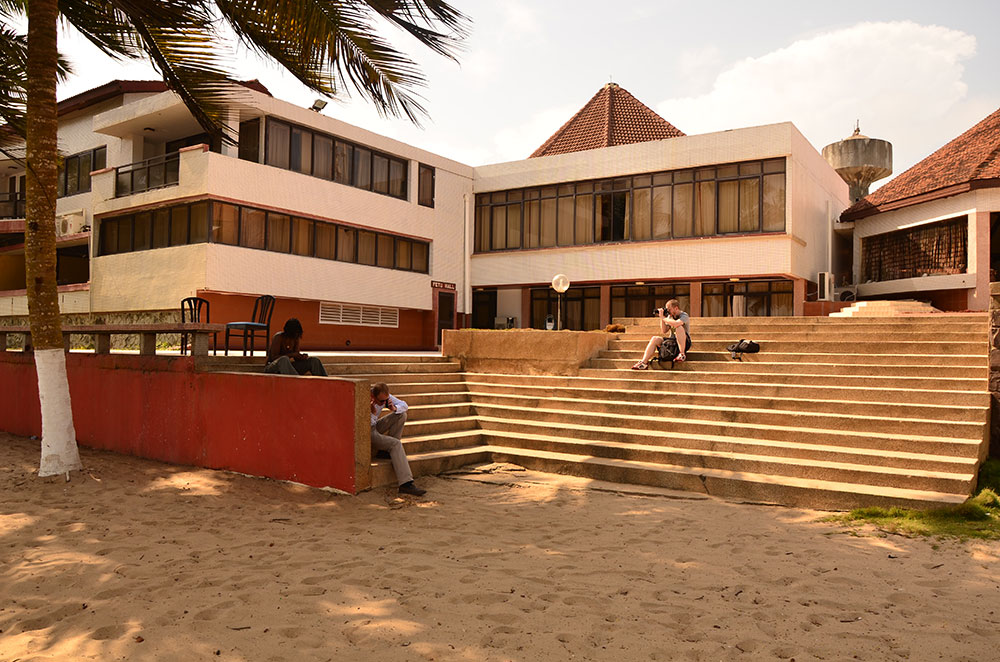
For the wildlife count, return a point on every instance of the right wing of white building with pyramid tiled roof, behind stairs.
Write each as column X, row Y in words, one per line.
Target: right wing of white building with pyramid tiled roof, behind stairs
column 633, row 212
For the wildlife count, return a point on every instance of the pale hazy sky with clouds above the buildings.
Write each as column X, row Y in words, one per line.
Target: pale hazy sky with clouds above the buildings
column 916, row 73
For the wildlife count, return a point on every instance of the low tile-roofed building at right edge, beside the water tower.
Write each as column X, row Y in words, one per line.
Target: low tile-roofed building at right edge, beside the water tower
column 927, row 234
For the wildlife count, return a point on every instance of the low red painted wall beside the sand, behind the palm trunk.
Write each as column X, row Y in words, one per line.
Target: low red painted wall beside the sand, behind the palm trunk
column 288, row 428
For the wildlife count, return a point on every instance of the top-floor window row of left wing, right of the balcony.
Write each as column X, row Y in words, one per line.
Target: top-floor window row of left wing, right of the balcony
column 309, row 152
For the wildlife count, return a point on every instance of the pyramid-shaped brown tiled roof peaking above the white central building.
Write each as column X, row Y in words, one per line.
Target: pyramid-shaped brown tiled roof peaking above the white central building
column 611, row 117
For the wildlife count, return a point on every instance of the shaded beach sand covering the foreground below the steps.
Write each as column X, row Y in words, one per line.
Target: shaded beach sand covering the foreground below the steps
column 138, row 560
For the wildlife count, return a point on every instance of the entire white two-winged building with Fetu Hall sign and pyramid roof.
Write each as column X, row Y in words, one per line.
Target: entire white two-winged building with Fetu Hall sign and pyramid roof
column 373, row 243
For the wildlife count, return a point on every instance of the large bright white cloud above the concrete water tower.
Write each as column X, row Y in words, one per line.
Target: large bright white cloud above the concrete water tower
column 902, row 80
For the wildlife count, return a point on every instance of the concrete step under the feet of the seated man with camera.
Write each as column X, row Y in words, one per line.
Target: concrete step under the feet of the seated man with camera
column 749, row 364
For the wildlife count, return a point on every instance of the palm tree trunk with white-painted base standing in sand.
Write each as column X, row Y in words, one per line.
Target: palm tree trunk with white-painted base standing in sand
column 59, row 450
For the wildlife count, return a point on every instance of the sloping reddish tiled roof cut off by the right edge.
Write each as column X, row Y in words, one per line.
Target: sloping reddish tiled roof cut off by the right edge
column 970, row 161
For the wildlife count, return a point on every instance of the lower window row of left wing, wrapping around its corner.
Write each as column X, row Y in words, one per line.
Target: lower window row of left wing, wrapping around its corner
column 249, row 227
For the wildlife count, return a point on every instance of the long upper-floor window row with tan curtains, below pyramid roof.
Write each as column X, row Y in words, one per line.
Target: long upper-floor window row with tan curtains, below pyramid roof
column 728, row 199
